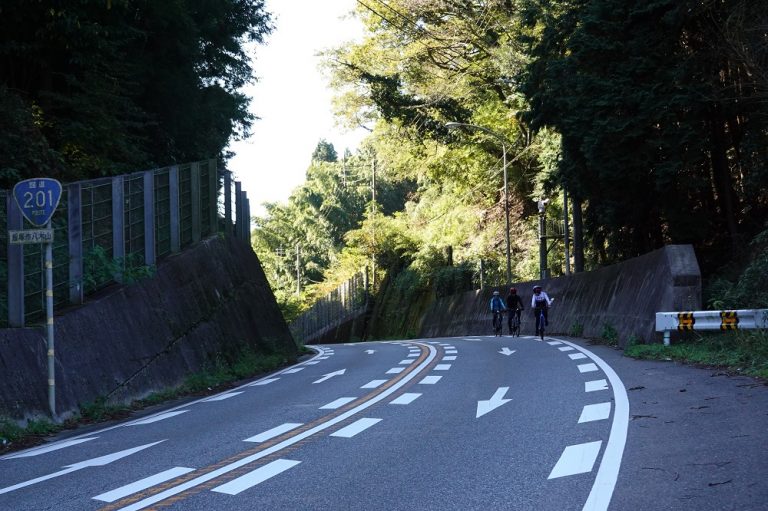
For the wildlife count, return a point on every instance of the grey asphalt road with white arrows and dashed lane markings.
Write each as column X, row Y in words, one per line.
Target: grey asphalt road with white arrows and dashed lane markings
column 435, row 424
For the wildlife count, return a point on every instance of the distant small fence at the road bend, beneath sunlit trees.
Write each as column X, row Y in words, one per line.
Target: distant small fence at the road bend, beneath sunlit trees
column 343, row 303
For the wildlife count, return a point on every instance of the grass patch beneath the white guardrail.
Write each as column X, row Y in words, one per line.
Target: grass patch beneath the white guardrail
column 743, row 352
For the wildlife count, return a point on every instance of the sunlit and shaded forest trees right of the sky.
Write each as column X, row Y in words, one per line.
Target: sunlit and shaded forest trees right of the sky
column 652, row 115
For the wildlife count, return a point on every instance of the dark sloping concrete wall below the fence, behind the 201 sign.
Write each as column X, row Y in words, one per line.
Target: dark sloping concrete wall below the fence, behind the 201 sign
column 209, row 301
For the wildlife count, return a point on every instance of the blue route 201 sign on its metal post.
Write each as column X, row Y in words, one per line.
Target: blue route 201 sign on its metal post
column 38, row 199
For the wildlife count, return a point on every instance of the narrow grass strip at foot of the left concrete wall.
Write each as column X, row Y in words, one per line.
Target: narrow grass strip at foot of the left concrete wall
column 220, row 375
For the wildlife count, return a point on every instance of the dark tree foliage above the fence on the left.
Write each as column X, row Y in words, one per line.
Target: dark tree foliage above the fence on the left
column 104, row 87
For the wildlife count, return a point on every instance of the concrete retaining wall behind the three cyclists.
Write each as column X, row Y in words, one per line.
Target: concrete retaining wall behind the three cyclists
column 625, row 296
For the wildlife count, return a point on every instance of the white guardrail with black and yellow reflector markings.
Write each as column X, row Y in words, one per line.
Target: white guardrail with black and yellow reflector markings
column 747, row 319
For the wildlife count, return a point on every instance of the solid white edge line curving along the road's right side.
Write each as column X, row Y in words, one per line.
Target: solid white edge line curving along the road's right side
column 608, row 472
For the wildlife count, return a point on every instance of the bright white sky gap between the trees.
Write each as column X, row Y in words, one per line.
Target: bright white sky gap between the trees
column 292, row 99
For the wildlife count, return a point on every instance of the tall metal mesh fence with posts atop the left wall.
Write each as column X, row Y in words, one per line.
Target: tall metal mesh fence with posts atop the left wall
column 105, row 227
